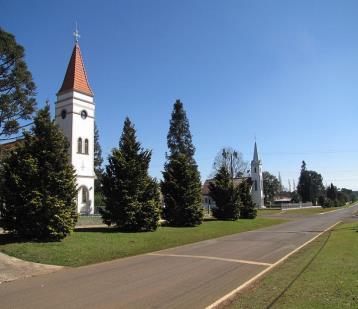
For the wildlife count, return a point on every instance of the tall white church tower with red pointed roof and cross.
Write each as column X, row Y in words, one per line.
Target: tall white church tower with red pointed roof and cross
column 75, row 116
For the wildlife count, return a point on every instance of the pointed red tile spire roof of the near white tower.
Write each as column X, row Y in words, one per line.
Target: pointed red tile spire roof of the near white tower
column 76, row 77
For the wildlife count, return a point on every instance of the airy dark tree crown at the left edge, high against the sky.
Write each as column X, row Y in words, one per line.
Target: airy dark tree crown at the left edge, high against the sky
column 17, row 89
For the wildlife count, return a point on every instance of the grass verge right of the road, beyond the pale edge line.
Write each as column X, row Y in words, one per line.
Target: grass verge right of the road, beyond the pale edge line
column 330, row 281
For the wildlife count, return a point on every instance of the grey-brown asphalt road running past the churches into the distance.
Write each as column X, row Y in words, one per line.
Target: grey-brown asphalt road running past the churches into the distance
column 191, row 276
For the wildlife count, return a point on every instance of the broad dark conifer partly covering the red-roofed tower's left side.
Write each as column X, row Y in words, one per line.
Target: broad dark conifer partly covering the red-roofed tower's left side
column 39, row 189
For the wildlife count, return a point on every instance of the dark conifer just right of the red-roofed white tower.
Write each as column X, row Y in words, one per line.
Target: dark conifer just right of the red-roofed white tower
column 131, row 196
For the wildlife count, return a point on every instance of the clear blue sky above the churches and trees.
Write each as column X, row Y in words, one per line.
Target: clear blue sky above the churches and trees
column 285, row 71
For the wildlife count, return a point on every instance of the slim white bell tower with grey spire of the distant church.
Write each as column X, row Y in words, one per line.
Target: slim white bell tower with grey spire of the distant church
column 257, row 181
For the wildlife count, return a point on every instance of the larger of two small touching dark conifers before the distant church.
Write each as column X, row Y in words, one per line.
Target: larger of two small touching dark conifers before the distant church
column 226, row 196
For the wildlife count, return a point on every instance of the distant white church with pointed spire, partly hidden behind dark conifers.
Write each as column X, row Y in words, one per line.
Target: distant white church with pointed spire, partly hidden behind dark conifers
column 257, row 184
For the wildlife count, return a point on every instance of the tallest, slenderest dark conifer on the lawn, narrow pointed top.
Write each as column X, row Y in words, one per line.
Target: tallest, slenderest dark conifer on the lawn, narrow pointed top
column 181, row 187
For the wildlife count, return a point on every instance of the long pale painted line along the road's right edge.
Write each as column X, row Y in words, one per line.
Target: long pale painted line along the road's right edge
column 260, row 274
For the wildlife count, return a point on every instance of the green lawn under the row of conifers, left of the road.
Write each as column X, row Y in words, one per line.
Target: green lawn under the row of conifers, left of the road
column 88, row 246
